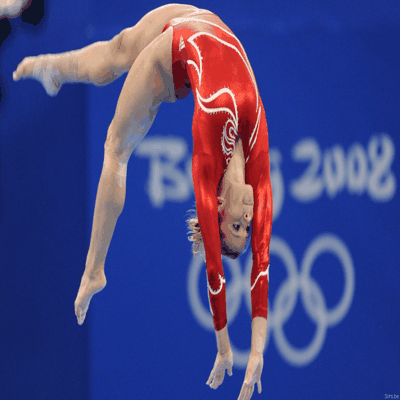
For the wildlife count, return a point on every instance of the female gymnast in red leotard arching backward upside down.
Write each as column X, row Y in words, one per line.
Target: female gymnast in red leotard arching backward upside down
column 230, row 163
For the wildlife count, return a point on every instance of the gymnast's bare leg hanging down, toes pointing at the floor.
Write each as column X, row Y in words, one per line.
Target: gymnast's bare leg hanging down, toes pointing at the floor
column 148, row 84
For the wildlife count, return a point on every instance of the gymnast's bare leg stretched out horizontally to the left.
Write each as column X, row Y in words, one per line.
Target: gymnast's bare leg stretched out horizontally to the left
column 102, row 62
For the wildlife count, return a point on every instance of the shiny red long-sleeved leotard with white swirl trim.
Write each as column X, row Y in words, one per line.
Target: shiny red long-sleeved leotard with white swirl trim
column 208, row 59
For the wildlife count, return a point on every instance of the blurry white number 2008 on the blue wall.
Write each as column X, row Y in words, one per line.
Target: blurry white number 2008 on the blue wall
column 360, row 170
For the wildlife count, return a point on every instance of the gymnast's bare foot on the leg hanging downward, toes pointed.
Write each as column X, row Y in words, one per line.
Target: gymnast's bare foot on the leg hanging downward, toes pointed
column 90, row 285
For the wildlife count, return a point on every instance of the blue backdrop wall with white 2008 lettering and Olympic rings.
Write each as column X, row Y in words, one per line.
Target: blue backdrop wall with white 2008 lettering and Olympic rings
column 328, row 74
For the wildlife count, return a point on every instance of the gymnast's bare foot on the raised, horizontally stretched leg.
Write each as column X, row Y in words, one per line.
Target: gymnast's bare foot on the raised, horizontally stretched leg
column 42, row 69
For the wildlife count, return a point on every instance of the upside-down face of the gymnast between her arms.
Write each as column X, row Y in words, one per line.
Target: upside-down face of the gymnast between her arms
column 236, row 214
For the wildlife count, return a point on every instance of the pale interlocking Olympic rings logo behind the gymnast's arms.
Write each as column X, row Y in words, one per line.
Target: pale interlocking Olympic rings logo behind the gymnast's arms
column 297, row 282
